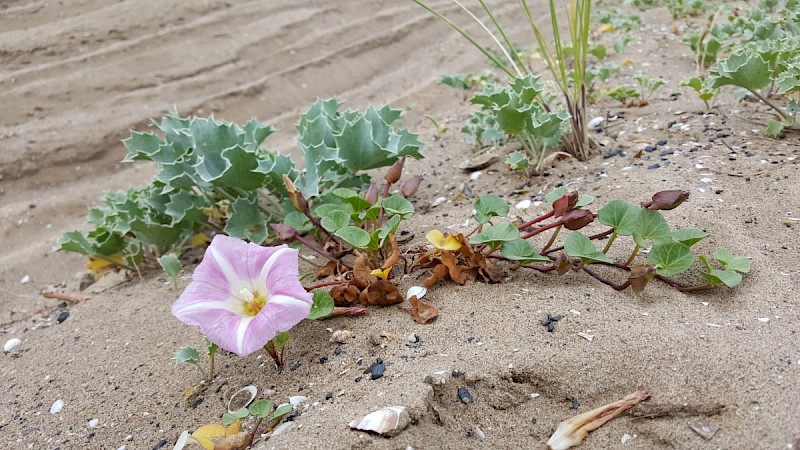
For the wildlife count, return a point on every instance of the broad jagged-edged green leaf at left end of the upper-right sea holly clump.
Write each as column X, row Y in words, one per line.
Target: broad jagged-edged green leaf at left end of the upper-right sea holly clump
column 744, row 69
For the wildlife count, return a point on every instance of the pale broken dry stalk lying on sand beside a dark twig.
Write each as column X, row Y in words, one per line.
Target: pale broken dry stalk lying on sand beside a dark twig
column 571, row 432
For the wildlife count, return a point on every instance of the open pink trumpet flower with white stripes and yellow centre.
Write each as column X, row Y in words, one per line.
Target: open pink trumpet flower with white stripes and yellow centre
column 243, row 294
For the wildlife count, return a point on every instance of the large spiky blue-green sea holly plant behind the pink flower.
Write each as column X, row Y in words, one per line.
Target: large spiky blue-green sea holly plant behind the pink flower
column 215, row 176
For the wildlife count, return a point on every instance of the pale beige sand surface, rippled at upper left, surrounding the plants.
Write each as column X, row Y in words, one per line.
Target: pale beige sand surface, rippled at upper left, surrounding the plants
column 77, row 75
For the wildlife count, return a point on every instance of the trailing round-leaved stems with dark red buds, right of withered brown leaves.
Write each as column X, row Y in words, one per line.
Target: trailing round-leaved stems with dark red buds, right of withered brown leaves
column 670, row 253
